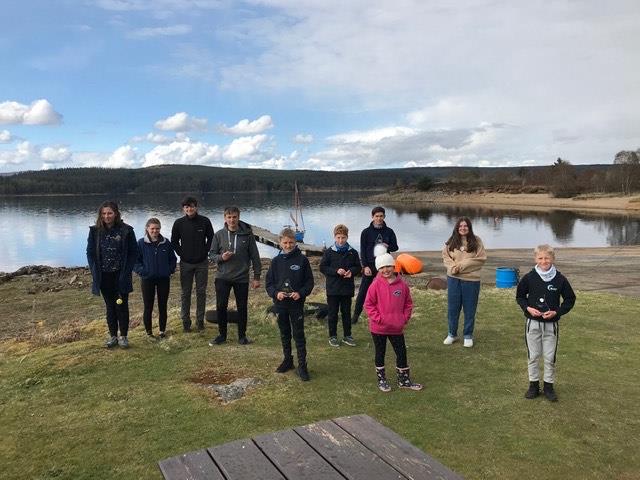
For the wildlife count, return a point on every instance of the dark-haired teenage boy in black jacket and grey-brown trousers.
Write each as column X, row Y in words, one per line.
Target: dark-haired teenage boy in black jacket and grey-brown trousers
column 191, row 237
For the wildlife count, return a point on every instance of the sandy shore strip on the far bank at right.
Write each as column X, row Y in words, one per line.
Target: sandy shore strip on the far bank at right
column 528, row 201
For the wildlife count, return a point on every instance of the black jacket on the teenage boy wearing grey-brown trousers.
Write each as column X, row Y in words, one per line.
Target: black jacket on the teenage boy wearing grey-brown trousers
column 191, row 238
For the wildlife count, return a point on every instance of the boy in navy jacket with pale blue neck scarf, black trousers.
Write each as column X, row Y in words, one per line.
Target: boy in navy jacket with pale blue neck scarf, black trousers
column 340, row 264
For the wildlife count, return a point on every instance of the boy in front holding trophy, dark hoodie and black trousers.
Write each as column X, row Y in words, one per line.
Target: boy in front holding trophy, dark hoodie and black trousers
column 289, row 280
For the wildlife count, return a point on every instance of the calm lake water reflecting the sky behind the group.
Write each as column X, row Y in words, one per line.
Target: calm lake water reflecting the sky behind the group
column 53, row 230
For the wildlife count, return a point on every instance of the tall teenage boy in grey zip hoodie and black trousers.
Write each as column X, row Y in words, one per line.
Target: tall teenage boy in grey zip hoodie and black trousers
column 234, row 249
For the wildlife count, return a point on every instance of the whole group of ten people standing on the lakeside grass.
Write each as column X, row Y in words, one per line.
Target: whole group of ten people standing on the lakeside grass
column 113, row 253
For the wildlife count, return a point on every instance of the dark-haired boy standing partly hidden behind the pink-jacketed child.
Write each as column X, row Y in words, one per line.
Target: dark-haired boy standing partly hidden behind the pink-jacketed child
column 376, row 234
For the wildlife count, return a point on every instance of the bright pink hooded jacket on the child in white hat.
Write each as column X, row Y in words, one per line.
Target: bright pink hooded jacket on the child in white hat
column 388, row 306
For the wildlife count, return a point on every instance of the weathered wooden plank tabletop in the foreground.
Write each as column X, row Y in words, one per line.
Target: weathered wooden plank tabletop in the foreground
column 353, row 447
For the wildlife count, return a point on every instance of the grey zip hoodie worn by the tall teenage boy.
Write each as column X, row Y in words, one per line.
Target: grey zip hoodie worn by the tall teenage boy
column 243, row 244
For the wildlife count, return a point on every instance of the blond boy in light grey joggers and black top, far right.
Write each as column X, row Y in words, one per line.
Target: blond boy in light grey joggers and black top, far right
column 538, row 294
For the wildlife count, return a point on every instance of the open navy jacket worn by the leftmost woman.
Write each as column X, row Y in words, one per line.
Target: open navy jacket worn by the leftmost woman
column 129, row 253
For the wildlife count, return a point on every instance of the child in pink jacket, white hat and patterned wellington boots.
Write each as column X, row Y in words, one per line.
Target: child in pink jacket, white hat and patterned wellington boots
column 388, row 306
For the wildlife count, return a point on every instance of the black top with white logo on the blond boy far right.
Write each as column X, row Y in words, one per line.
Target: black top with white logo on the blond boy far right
column 534, row 292
